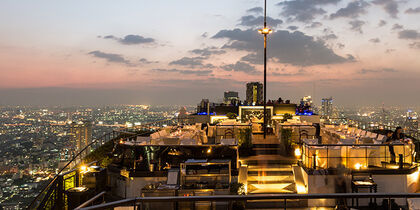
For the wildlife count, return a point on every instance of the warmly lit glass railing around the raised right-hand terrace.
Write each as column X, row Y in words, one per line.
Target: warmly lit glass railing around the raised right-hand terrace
column 356, row 156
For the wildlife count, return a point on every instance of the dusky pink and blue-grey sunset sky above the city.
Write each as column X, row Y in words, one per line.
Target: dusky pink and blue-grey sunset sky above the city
column 177, row 52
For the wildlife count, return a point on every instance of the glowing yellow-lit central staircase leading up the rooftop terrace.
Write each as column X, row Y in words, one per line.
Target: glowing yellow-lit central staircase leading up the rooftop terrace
column 269, row 172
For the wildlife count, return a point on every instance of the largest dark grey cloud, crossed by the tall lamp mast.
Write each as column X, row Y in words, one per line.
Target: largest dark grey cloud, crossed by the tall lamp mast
column 286, row 47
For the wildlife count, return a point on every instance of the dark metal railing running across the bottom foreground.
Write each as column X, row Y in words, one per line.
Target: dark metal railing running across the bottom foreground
column 139, row 202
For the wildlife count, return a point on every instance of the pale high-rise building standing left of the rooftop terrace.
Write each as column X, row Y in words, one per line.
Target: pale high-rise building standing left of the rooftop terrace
column 81, row 134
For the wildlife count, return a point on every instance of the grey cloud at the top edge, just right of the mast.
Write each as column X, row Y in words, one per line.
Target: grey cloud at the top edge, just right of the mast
column 303, row 10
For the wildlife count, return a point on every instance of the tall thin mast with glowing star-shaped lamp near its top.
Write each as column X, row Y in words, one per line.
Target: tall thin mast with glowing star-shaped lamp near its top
column 265, row 31
